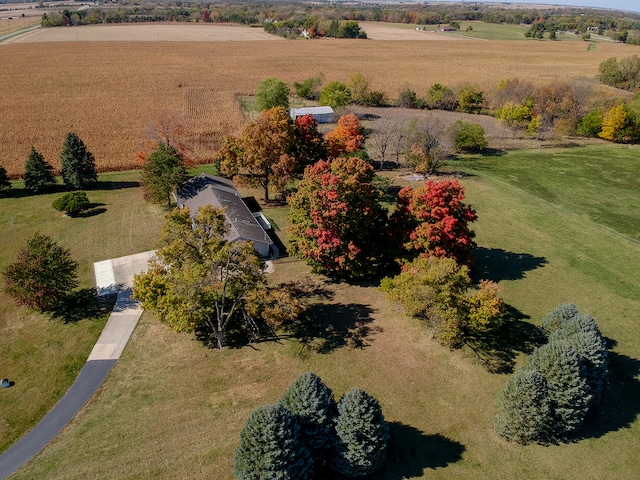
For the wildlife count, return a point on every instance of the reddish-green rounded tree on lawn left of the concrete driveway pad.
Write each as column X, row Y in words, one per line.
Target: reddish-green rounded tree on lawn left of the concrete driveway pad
column 43, row 275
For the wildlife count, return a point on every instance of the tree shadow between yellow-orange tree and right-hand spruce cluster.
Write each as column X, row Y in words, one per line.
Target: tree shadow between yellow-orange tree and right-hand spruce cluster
column 498, row 348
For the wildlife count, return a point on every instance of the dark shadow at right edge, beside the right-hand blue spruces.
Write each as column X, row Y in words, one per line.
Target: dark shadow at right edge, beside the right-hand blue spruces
column 620, row 404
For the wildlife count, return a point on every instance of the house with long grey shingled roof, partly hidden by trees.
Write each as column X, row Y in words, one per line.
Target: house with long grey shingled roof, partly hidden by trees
column 219, row 192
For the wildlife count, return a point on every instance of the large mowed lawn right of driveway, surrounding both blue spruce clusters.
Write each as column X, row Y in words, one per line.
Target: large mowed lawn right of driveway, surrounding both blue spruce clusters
column 173, row 409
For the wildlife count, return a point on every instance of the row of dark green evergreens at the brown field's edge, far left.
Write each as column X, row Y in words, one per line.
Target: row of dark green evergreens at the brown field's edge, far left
column 78, row 168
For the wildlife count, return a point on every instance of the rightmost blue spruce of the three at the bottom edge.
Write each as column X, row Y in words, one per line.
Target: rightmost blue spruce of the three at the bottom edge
column 360, row 435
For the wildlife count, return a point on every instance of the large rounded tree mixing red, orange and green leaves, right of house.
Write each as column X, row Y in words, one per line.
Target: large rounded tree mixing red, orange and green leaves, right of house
column 337, row 220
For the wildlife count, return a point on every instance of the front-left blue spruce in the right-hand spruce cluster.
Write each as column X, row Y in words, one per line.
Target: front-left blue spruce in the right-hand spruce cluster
column 524, row 408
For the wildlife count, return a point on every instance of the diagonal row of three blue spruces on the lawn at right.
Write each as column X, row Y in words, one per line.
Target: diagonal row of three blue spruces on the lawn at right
column 548, row 399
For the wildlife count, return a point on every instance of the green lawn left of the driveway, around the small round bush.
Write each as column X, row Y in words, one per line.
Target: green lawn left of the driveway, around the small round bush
column 40, row 355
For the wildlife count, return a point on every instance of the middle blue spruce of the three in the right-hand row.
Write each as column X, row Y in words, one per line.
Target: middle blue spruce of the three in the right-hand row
column 560, row 365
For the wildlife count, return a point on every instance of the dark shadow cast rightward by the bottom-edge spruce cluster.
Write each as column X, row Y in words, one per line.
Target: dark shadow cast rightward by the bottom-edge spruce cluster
column 411, row 452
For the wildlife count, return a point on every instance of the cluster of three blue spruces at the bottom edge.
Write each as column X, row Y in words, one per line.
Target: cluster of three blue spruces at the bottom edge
column 307, row 432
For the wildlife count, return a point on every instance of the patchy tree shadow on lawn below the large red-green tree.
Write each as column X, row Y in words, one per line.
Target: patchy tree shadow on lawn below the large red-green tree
column 325, row 327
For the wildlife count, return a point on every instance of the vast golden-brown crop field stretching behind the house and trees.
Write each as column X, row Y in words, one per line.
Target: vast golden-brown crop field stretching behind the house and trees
column 108, row 92
